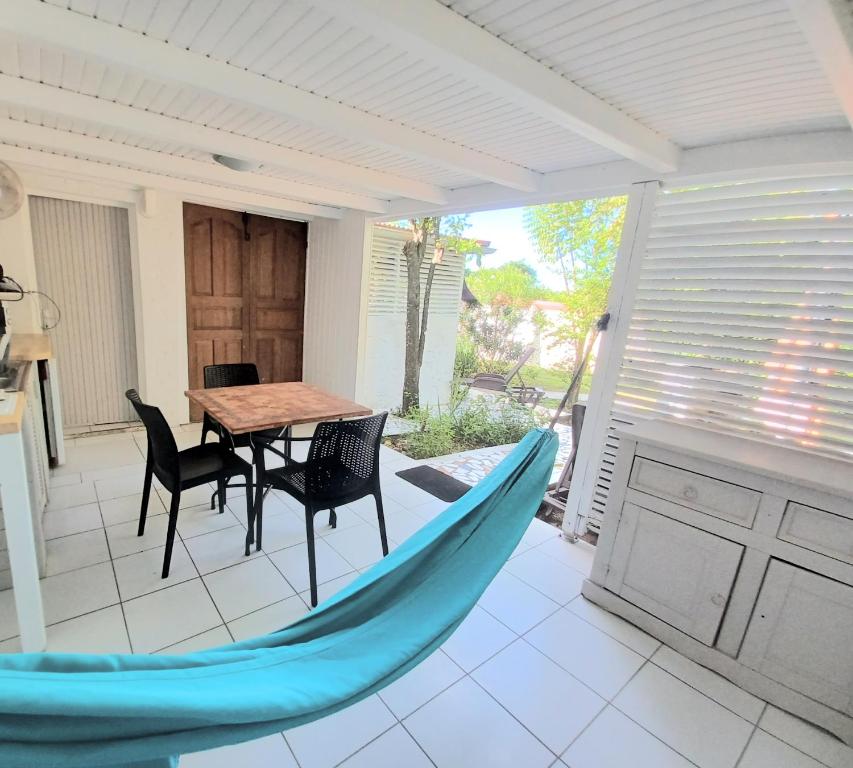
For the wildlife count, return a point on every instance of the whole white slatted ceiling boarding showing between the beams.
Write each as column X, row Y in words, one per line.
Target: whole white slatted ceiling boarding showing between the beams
column 695, row 71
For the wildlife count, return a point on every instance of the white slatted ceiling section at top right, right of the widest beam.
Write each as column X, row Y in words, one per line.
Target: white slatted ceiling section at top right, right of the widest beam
column 699, row 71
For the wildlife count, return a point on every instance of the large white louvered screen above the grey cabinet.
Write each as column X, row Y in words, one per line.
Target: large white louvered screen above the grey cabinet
column 743, row 318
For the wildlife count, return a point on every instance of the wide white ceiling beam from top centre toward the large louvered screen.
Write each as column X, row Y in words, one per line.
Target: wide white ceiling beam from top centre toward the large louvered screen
column 431, row 30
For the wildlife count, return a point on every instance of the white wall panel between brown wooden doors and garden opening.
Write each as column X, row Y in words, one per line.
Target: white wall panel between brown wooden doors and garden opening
column 334, row 294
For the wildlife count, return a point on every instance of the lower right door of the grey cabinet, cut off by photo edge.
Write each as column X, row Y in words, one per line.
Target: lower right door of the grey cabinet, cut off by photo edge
column 800, row 634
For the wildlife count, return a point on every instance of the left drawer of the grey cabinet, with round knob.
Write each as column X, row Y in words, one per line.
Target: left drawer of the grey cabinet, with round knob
column 704, row 494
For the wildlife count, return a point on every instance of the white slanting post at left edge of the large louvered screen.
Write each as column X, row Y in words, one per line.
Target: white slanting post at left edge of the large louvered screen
column 638, row 216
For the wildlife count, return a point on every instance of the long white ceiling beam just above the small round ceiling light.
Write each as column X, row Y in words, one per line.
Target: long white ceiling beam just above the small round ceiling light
column 77, row 106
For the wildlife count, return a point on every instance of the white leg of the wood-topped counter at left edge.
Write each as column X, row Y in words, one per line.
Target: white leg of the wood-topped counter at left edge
column 23, row 561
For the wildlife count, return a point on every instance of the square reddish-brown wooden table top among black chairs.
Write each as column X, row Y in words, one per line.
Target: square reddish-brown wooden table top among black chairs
column 268, row 406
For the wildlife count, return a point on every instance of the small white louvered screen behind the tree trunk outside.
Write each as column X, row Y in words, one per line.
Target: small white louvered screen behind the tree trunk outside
column 388, row 275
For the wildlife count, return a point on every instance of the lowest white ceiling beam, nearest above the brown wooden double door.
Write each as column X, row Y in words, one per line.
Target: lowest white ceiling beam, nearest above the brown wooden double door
column 192, row 191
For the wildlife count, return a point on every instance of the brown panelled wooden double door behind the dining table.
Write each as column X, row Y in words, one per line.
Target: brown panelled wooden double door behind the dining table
column 245, row 278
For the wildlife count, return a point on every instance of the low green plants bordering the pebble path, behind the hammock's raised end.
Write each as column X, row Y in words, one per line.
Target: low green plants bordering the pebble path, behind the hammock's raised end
column 465, row 425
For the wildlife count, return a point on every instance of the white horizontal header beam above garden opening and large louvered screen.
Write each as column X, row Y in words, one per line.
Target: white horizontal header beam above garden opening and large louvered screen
column 798, row 155
